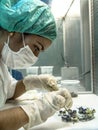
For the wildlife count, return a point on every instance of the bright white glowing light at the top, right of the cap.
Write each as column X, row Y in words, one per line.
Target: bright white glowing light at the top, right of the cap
column 60, row 7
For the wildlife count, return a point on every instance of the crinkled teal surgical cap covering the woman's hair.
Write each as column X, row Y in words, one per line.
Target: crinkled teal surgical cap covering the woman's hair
column 27, row 16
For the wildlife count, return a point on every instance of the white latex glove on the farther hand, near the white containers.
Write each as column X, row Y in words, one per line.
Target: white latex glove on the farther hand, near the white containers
column 43, row 81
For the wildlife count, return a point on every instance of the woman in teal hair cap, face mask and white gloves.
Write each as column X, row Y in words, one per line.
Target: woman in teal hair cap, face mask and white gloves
column 27, row 27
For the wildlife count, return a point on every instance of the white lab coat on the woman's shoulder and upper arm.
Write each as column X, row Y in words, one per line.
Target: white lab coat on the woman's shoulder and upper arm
column 7, row 84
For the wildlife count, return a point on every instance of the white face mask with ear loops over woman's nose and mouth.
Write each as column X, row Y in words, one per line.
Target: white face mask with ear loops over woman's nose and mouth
column 18, row 60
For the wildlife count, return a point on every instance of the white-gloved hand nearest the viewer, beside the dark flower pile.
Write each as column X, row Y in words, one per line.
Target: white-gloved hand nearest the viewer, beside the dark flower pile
column 44, row 107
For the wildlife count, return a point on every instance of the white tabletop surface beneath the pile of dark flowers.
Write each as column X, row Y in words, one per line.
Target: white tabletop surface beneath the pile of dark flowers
column 55, row 122
